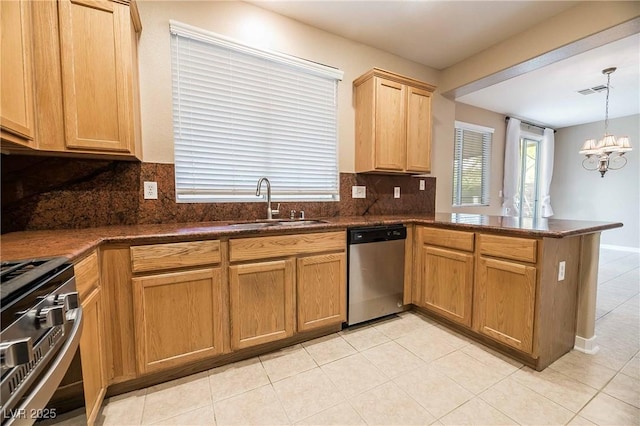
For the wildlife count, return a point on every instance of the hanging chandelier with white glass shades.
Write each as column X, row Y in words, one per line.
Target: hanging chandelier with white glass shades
column 608, row 152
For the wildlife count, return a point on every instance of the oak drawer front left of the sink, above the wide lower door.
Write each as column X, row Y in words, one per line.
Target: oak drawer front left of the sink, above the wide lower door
column 174, row 255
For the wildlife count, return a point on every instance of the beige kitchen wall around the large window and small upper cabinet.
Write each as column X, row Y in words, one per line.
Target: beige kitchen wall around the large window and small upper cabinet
column 258, row 27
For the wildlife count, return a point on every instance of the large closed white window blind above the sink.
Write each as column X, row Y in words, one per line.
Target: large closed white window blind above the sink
column 241, row 113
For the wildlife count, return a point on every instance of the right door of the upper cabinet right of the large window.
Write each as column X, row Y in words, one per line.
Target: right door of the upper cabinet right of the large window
column 418, row 130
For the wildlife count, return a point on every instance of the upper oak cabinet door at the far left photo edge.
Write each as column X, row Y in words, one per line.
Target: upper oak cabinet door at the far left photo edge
column 16, row 105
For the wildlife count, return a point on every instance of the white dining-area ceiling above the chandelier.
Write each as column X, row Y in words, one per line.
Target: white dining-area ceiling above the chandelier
column 549, row 95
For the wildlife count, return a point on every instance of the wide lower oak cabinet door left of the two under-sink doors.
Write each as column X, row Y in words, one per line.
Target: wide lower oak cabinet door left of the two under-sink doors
column 177, row 318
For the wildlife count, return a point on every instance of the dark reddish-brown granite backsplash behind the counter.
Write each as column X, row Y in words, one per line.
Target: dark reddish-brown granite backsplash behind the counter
column 63, row 193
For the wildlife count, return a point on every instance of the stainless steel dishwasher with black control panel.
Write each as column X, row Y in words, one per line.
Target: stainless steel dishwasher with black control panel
column 376, row 272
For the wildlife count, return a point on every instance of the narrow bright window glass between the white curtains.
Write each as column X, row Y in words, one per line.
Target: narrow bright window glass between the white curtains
column 527, row 192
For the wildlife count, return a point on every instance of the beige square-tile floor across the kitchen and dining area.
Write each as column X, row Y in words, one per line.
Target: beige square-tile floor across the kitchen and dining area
column 407, row 370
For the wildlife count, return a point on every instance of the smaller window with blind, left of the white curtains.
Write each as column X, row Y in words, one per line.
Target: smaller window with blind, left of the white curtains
column 471, row 177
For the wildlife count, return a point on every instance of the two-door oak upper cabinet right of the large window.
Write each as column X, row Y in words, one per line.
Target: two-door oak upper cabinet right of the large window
column 393, row 123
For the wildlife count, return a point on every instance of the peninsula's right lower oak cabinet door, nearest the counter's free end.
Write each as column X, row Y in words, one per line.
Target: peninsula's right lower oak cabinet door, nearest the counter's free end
column 505, row 302
